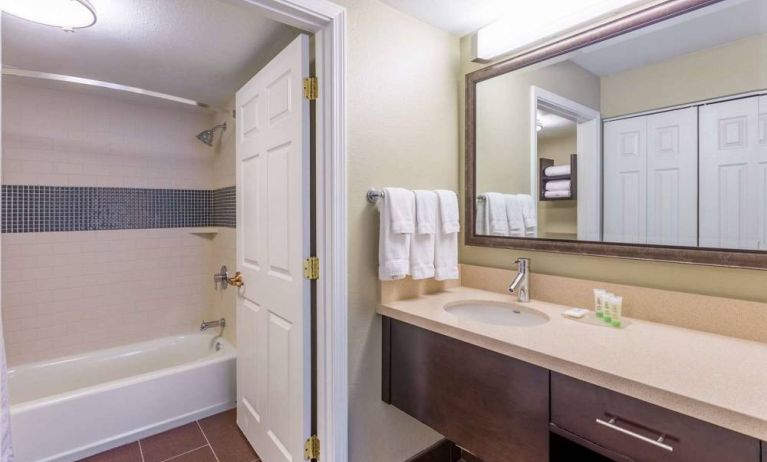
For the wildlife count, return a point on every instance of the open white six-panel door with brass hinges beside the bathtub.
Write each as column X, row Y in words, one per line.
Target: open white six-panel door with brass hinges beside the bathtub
column 273, row 323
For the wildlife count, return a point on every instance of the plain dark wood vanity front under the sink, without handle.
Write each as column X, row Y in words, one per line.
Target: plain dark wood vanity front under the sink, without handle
column 492, row 405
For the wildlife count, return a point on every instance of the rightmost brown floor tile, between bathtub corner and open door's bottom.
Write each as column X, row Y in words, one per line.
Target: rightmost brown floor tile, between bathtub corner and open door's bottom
column 225, row 437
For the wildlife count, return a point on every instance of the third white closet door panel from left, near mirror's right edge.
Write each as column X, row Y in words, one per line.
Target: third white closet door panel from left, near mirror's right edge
column 732, row 170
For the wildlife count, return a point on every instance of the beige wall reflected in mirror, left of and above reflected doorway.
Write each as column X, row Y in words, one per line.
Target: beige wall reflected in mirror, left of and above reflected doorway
column 503, row 120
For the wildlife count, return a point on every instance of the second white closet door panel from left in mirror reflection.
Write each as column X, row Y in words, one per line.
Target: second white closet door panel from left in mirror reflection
column 672, row 178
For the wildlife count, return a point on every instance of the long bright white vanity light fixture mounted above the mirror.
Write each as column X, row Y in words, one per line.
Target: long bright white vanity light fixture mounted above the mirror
column 532, row 22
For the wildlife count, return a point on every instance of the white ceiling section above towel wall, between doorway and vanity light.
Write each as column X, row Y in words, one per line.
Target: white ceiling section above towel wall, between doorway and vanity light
column 456, row 16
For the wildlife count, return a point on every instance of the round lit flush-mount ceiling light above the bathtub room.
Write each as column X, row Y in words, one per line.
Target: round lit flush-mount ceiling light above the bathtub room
column 67, row 14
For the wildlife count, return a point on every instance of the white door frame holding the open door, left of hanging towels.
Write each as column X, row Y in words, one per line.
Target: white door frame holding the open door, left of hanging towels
column 327, row 22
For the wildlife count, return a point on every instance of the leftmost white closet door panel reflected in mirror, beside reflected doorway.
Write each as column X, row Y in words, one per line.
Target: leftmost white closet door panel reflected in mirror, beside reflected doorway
column 625, row 180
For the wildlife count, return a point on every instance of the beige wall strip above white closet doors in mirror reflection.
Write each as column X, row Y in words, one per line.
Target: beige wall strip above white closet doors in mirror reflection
column 731, row 68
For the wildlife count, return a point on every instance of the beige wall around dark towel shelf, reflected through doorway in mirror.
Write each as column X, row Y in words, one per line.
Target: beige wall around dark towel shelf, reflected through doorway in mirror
column 558, row 217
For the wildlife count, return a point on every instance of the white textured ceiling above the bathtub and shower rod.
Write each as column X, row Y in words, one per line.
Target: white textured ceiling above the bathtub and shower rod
column 198, row 49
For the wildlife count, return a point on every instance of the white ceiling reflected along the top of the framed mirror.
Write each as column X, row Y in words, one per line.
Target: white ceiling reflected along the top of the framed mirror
column 703, row 29
